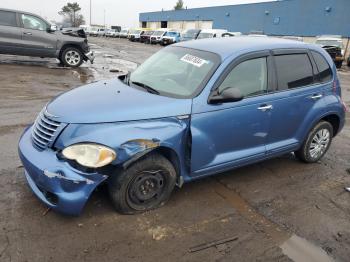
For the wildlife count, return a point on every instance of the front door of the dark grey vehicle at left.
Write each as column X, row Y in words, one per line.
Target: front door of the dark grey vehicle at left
column 36, row 39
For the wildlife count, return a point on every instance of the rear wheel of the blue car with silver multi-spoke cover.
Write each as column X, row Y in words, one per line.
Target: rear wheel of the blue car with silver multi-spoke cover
column 313, row 150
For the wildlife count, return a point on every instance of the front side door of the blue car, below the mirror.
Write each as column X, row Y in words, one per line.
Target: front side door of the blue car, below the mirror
column 233, row 134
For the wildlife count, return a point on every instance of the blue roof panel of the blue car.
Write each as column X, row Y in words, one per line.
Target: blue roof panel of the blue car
column 227, row 46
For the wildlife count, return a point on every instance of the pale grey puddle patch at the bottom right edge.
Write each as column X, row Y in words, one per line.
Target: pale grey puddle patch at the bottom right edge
column 300, row 250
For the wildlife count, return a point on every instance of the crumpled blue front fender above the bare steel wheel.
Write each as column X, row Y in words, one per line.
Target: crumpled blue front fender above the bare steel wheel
column 132, row 140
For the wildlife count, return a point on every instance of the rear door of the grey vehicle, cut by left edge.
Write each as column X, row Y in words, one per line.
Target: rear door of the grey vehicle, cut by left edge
column 10, row 33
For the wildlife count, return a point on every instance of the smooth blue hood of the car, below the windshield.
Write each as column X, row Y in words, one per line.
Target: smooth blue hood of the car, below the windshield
column 113, row 101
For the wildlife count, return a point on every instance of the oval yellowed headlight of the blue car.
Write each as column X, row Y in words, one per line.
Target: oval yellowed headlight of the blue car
column 90, row 155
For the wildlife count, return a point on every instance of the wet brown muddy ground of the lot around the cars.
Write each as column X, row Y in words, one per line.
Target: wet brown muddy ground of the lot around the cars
column 277, row 210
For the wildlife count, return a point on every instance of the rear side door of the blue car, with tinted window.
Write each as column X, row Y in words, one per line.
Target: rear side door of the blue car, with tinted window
column 297, row 94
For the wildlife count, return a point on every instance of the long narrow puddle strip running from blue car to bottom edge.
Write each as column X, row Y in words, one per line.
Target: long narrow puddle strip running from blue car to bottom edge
column 296, row 248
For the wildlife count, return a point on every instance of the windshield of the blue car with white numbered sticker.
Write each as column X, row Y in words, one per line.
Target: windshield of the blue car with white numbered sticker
column 176, row 72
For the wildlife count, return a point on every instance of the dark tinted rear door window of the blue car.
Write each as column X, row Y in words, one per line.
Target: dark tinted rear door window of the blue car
column 293, row 71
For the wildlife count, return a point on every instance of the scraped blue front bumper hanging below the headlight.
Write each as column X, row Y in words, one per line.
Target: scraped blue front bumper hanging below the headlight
column 55, row 182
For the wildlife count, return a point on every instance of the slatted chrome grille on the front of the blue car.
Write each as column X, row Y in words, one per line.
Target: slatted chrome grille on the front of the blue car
column 44, row 130
